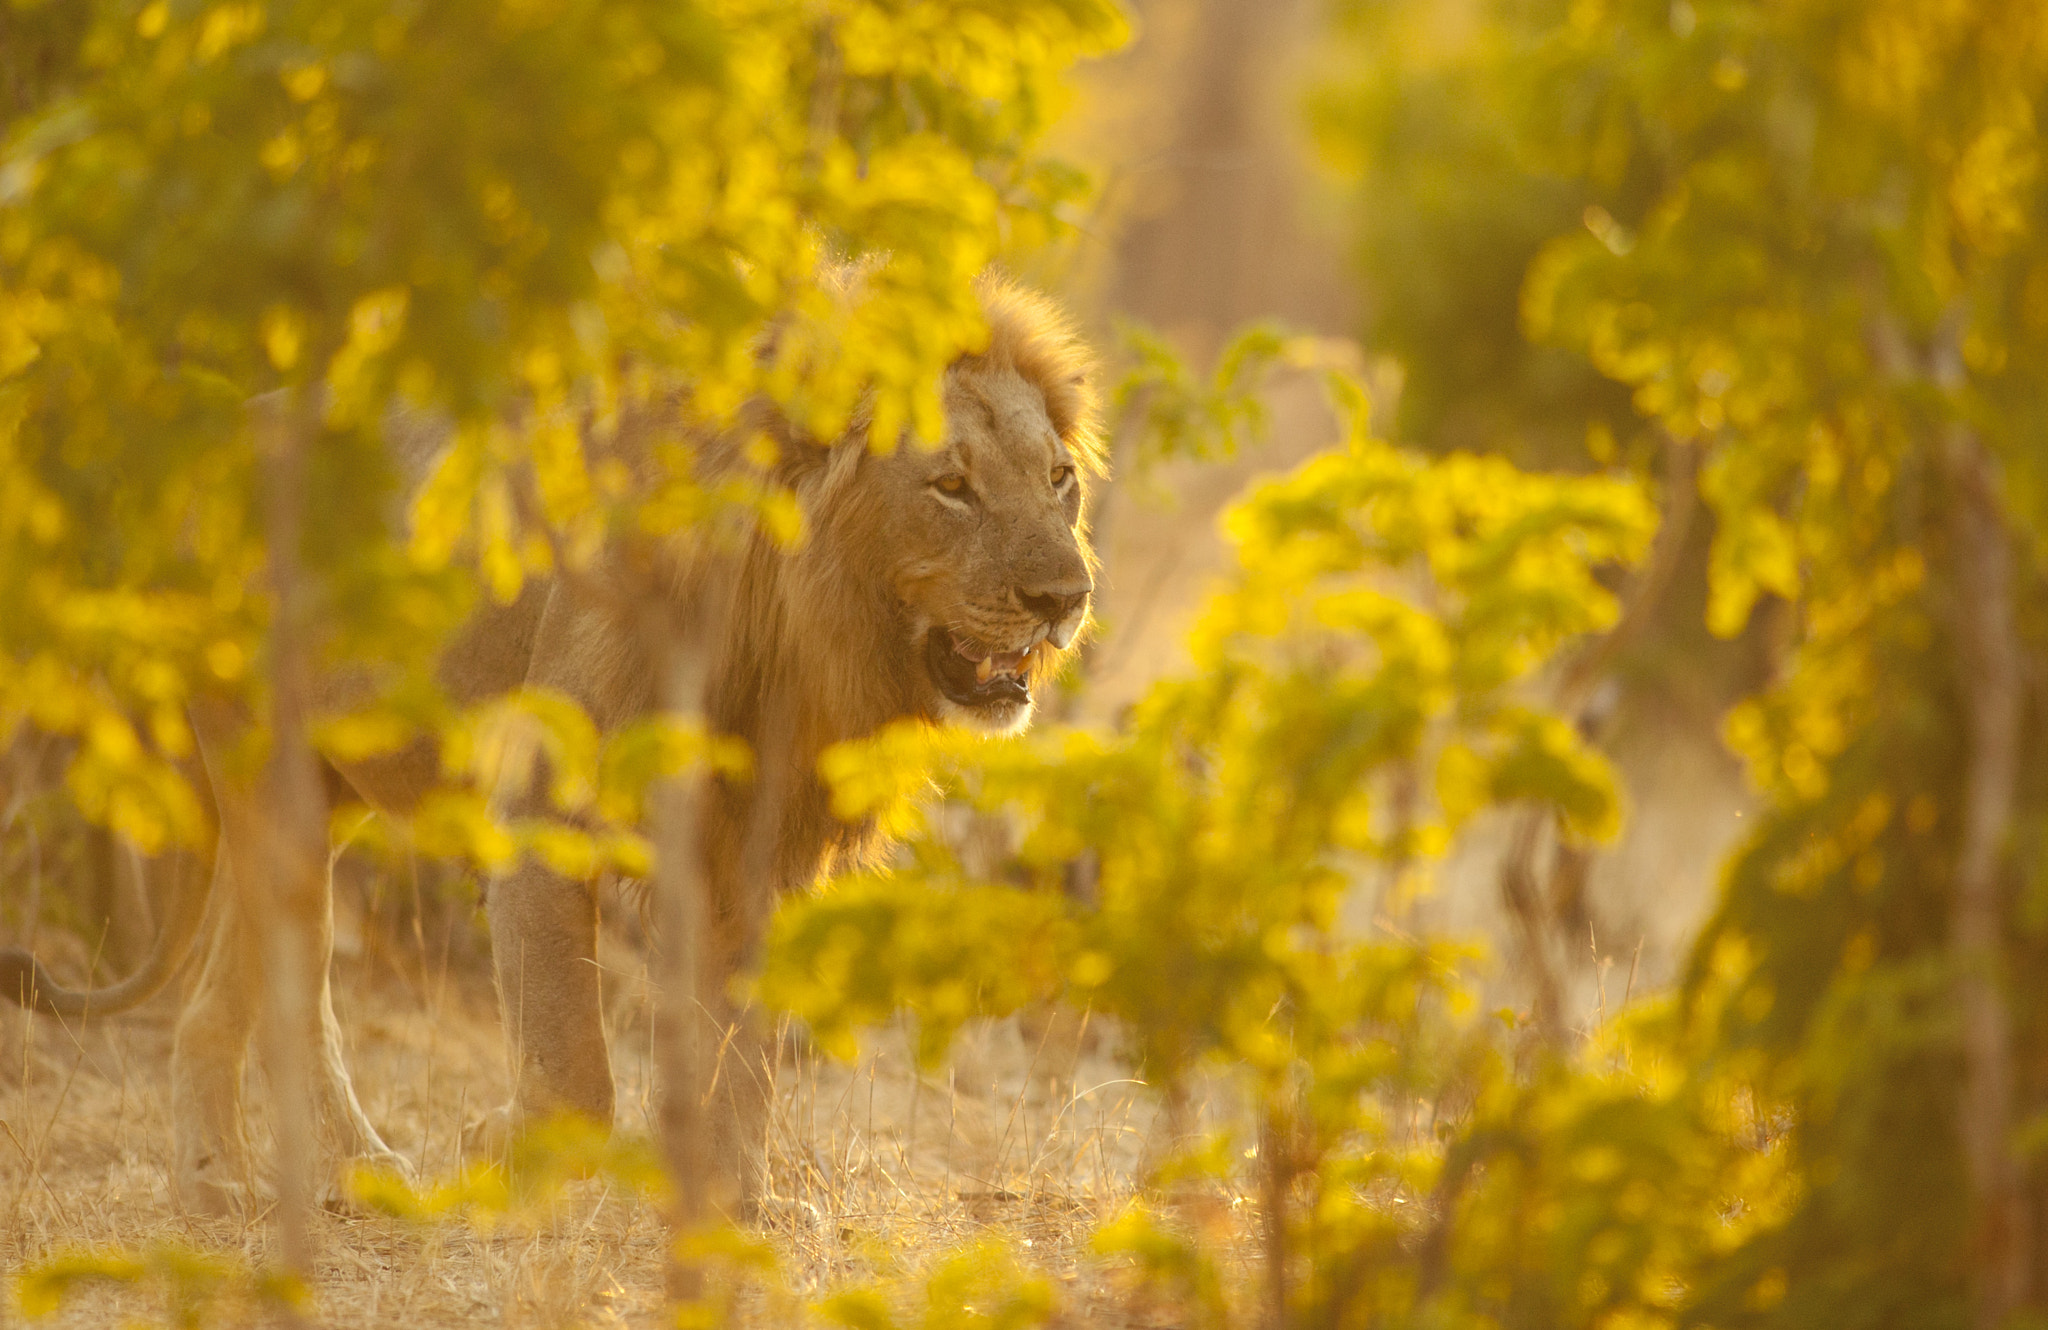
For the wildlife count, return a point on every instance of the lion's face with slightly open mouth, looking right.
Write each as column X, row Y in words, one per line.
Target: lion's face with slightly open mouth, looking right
column 986, row 550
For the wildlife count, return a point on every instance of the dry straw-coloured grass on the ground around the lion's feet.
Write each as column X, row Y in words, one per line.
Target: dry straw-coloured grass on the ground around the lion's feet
column 1031, row 1138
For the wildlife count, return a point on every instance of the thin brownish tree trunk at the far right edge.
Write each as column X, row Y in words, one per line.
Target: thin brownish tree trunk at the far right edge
column 1990, row 659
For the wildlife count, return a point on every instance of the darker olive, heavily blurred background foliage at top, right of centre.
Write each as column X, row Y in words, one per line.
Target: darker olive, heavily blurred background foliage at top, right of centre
column 1418, row 110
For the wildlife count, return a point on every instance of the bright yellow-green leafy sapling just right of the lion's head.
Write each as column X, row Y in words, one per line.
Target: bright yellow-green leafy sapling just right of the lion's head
column 1385, row 624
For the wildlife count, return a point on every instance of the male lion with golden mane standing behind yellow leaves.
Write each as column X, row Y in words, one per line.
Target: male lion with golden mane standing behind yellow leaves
column 939, row 585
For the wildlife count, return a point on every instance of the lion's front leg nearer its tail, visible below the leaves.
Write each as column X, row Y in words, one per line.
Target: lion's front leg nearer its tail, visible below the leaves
column 546, row 954
